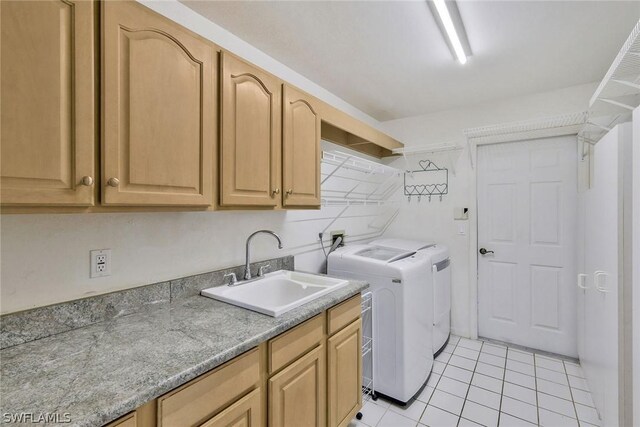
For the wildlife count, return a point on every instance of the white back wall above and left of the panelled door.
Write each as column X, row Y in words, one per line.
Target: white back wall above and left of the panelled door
column 434, row 221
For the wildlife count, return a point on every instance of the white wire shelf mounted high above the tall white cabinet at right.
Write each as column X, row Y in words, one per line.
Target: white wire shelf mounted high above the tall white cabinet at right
column 618, row 94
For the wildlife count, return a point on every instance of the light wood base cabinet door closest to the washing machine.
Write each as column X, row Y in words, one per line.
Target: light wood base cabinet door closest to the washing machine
column 344, row 374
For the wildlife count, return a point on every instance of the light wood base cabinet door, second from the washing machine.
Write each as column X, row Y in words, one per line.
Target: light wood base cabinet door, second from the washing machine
column 297, row 395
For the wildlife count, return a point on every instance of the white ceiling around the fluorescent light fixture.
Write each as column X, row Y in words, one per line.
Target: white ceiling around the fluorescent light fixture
column 388, row 58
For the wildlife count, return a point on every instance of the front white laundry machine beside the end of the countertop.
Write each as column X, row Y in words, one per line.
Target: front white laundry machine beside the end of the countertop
column 402, row 330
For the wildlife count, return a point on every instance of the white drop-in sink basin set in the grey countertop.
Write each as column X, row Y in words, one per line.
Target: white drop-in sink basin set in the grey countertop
column 276, row 293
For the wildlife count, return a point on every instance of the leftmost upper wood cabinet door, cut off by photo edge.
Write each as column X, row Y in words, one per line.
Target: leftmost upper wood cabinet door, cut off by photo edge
column 47, row 78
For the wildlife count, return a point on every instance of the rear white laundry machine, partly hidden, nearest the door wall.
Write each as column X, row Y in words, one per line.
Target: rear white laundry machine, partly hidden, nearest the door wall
column 440, row 275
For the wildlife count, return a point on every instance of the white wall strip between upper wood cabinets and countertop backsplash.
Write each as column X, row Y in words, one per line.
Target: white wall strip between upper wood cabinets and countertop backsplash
column 45, row 258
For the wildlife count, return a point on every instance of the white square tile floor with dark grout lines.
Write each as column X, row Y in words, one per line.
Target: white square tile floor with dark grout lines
column 478, row 383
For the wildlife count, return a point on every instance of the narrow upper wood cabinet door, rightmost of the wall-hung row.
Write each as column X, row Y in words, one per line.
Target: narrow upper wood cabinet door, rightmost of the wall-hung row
column 300, row 149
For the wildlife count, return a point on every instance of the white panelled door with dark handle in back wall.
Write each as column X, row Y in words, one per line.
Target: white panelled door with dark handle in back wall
column 527, row 206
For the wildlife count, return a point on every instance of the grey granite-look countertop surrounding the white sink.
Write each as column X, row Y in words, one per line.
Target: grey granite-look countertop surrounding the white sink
column 100, row 372
